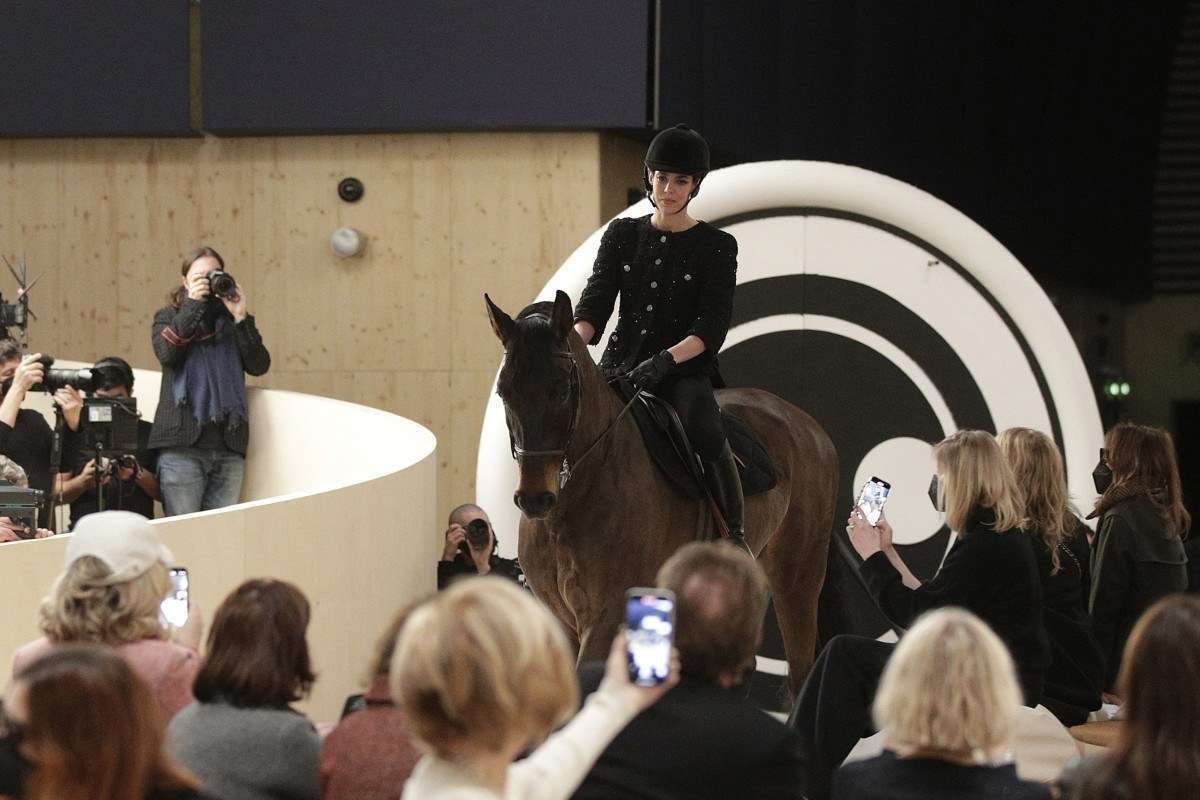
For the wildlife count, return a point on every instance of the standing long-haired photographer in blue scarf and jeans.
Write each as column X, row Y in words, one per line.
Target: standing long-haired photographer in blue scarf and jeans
column 207, row 344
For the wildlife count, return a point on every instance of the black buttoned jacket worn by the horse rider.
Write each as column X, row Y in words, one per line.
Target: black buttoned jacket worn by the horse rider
column 671, row 286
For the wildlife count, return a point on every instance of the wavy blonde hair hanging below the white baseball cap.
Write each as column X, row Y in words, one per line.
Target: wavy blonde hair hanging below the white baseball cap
column 82, row 607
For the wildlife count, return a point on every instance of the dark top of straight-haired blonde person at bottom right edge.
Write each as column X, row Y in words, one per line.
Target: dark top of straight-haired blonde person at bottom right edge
column 889, row 778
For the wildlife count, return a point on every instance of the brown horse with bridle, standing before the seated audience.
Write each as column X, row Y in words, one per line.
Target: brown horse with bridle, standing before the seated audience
column 615, row 520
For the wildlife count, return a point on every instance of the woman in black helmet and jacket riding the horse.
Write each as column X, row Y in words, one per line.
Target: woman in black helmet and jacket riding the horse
column 676, row 279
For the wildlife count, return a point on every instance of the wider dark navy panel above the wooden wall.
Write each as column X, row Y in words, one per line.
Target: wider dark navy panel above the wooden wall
column 379, row 65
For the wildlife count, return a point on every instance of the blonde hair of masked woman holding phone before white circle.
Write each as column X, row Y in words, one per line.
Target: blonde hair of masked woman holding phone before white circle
column 974, row 474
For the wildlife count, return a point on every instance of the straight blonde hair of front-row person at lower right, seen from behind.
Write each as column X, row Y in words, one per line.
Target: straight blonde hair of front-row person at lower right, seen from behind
column 951, row 687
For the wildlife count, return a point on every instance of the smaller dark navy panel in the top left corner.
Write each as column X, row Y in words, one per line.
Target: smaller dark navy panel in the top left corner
column 80, row 68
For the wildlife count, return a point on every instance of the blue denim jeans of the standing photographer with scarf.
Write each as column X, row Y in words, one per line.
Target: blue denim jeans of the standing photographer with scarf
column 199, row 480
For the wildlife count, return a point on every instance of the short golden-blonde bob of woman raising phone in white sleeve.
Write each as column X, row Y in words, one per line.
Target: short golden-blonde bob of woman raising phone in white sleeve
column 483, row 664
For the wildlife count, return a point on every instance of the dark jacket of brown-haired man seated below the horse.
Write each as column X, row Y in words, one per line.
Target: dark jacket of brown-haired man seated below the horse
column 699, row 742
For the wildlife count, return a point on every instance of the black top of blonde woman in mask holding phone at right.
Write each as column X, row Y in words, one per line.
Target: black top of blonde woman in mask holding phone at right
column 994, row 575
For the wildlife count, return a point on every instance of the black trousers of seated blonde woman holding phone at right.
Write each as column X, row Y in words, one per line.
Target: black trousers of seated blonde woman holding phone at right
column 833, row 711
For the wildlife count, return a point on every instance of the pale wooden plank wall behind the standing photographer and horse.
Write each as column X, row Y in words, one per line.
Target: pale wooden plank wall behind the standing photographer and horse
column 403, row 328
